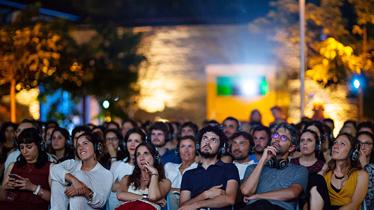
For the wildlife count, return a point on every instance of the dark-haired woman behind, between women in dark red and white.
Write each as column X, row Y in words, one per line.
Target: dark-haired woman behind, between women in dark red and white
column 60, row 146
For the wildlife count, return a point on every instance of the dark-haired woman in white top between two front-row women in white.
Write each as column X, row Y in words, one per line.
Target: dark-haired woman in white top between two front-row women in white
column 120, row 169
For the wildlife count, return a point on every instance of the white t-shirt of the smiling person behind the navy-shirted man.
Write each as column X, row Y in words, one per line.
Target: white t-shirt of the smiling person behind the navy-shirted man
column 173, row 174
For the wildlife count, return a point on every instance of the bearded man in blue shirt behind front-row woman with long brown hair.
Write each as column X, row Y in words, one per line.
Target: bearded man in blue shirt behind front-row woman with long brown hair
column 159, row 137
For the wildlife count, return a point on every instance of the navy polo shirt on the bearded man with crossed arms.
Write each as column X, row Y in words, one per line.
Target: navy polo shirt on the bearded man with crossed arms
column 200, row 179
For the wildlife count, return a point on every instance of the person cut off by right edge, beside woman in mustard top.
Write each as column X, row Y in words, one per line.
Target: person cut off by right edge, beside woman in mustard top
column 365, row 140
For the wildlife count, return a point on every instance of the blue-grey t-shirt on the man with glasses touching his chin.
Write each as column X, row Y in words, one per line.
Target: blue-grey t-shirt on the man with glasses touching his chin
column 272, row 179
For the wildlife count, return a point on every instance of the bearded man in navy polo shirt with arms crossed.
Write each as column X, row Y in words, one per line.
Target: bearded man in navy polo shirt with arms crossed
column 213, row 184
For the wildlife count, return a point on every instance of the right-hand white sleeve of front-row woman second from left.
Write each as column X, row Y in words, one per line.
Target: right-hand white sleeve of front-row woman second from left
column 101, row 190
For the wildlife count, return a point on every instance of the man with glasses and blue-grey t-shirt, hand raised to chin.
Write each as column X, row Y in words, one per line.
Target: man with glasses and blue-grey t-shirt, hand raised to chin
column 274, row 183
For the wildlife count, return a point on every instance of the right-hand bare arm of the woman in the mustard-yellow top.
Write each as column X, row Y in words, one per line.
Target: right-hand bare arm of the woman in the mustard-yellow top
column 360, row 191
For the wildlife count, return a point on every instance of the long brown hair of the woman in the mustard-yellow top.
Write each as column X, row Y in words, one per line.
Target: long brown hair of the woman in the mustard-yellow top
column 353, row 164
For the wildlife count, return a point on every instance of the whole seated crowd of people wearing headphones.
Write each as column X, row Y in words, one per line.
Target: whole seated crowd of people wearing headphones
column 172, row 165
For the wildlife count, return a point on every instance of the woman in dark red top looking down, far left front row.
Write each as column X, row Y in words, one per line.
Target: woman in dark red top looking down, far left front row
column 26, row 181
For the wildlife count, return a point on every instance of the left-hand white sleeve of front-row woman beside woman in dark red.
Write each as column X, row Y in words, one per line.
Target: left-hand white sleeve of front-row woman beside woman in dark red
column 58, row 171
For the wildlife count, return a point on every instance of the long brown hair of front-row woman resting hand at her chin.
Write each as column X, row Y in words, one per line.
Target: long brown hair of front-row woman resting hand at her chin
column 134, row 178
